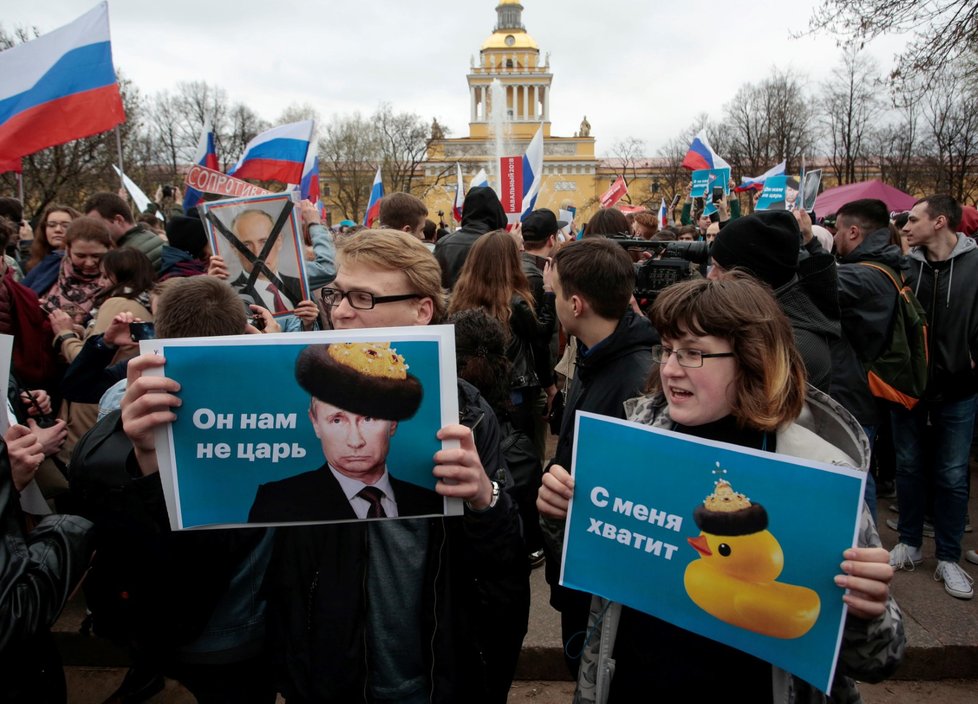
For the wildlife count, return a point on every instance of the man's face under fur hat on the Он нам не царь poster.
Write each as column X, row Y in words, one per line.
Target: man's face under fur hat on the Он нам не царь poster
column 354, row 445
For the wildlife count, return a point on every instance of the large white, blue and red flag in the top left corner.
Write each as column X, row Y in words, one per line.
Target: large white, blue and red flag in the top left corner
column 59, row 87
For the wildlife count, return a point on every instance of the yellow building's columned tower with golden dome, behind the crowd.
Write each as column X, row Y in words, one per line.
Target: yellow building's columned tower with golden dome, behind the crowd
column 509, row 99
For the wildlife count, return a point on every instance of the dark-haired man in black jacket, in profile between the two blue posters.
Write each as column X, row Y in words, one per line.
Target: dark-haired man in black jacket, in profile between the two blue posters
column 593, row 281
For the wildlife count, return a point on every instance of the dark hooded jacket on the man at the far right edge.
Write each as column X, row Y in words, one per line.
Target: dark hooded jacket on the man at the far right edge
column 948, row 291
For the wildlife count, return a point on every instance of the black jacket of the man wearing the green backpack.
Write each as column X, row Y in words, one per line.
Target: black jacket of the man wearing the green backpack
column 867, row 300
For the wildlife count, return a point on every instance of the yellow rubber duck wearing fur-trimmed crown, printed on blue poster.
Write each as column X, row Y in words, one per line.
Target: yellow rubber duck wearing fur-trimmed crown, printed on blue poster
column 739, row 560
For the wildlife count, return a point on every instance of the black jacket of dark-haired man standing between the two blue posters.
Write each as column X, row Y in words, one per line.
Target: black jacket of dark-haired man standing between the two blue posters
column 615, row 370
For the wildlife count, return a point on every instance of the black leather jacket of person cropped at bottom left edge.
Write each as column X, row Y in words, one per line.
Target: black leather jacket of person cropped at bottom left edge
column 38, row 571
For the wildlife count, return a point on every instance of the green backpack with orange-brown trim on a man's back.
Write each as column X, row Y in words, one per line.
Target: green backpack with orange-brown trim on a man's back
column 899, row 373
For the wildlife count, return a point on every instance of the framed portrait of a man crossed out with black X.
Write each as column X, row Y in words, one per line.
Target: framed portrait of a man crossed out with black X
column 260, row 240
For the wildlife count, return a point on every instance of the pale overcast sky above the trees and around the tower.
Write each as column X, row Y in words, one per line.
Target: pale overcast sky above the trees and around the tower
column 635, row 68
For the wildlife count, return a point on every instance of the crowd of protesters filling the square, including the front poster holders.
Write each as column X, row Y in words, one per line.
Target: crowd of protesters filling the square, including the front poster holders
column 766, row 345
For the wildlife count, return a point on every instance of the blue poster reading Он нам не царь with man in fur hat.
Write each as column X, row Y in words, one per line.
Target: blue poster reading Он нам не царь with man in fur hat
column 313, row 428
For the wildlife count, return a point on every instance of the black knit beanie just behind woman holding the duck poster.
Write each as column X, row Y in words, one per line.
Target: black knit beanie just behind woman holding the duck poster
column 766, row 244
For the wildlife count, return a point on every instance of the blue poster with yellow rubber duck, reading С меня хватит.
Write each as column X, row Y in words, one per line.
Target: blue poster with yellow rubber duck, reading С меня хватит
column 737, row 545
